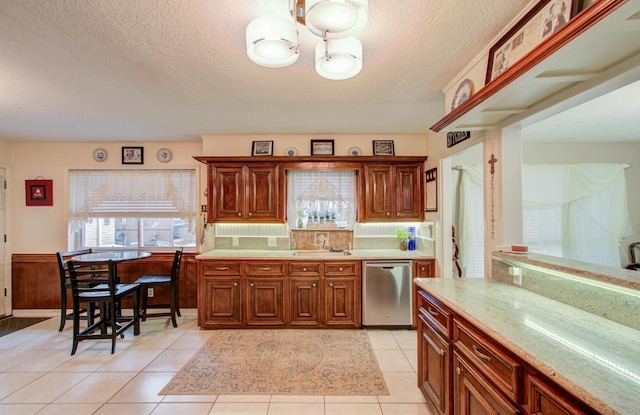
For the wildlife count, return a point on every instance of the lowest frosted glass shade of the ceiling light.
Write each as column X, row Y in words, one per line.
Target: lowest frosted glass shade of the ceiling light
column 339, row 59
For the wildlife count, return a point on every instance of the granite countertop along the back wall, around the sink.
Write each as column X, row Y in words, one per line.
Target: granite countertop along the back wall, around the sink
column 356, row 254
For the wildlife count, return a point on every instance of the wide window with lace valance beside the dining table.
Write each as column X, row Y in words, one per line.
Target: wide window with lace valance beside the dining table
column 132, row 208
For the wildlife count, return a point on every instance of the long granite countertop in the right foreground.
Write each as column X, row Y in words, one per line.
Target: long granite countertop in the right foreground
column 596, row 359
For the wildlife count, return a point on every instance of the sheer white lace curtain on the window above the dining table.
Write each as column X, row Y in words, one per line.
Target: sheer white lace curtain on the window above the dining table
column 131, row 193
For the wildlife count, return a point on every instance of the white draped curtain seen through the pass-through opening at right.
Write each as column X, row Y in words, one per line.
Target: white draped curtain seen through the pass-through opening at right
column 576, row 211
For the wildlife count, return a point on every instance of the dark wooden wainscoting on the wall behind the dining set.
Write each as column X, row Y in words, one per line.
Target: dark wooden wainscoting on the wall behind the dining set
column 35, row 279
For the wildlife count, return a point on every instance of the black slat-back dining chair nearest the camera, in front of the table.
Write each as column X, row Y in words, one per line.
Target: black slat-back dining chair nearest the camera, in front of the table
column 97, row 282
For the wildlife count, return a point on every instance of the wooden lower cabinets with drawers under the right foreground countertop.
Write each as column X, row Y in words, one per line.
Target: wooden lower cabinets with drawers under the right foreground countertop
column 462, row 370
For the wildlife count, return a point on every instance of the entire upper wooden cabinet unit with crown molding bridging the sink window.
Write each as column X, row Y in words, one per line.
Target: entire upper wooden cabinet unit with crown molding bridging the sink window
column 243, row 189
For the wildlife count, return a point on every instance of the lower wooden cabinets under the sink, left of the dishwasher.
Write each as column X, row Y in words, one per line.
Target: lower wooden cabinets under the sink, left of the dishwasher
column 279, row 294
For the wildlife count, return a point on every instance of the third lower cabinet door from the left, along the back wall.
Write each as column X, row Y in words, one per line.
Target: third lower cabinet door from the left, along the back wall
column 305, row 301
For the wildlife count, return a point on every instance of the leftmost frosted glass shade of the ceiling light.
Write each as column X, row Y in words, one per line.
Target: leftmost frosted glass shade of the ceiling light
column 272, row 41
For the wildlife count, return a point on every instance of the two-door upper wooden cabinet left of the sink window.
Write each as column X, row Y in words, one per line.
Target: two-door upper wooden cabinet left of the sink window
column 243, row 192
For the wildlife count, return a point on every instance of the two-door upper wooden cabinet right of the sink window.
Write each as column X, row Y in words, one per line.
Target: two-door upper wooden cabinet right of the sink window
column 392, row 192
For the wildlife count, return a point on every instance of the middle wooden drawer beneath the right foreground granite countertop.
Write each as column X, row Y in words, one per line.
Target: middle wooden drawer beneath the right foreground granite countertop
column 504, row 371
